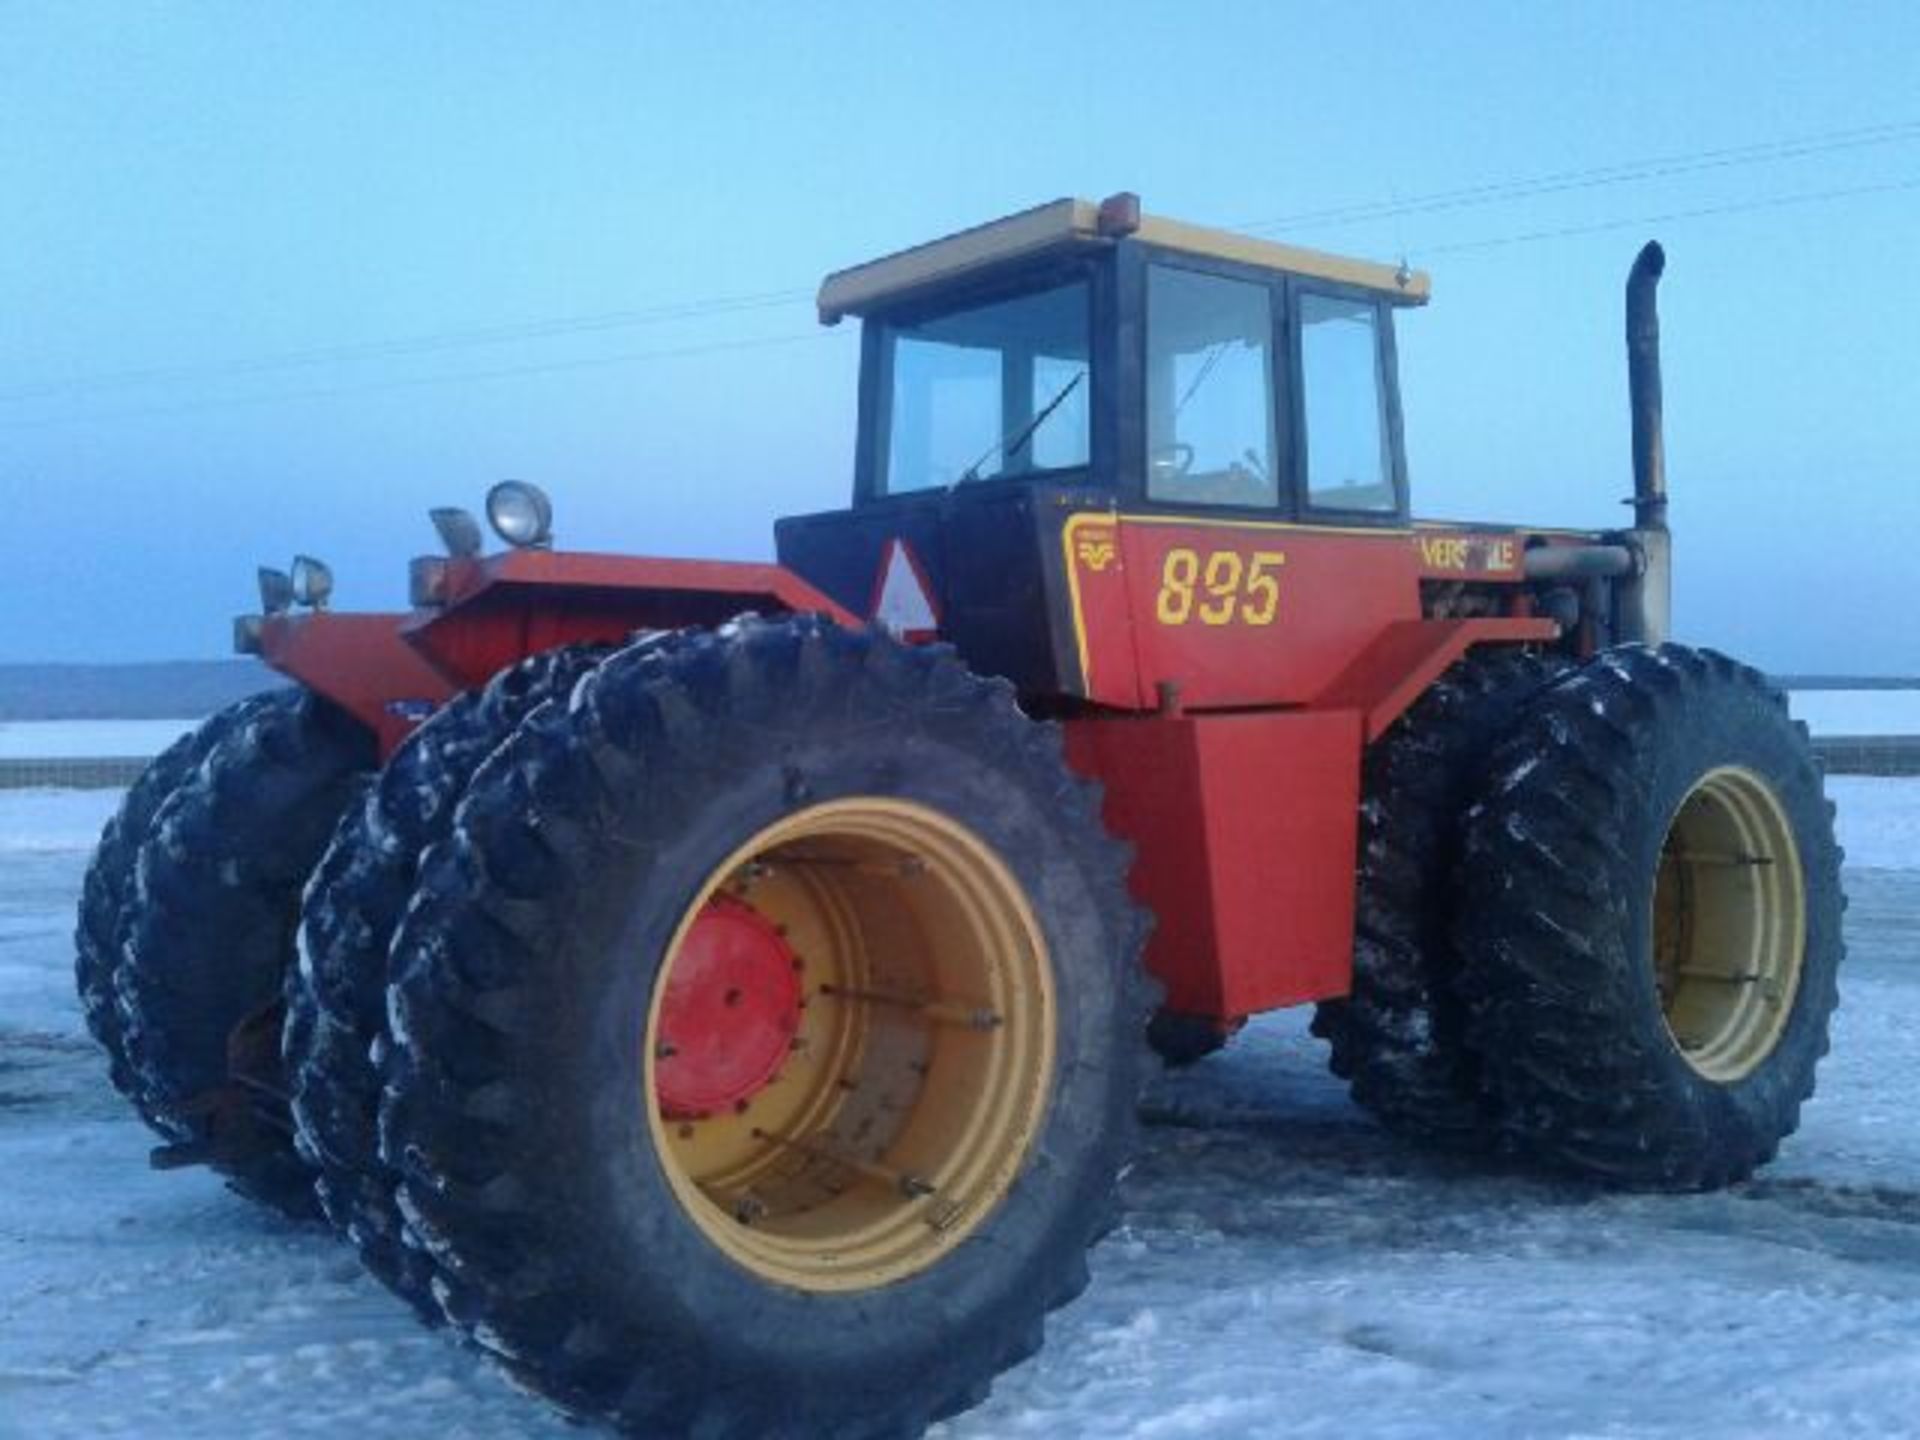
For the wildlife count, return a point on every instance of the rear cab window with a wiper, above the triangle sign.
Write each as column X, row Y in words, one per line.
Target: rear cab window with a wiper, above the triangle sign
column 988, row 393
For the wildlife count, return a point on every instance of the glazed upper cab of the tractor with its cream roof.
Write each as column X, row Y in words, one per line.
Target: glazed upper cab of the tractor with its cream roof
column 1164, row 364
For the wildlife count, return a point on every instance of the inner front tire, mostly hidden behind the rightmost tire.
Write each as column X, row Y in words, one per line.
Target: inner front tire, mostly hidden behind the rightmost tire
column 1399, row 1038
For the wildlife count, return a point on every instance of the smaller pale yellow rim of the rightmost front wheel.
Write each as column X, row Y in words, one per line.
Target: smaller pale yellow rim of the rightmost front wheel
column 1729, row 924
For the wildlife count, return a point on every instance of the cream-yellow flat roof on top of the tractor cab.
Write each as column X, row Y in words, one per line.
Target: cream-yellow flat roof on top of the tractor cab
column 1067, row 226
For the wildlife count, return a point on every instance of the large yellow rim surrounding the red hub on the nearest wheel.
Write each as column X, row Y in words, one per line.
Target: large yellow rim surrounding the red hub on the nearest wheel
column 921, row 1065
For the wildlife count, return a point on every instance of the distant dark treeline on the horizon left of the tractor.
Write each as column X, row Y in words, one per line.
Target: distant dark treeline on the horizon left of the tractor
column 170, row 690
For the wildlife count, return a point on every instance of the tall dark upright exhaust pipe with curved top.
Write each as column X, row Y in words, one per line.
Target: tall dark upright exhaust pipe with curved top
column 1643, row 606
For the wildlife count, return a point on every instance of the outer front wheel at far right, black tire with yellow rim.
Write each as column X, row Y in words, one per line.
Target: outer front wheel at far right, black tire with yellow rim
column 1650, row 923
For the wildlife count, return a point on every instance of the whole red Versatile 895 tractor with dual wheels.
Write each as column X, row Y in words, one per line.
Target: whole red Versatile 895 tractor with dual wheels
column 723, row 992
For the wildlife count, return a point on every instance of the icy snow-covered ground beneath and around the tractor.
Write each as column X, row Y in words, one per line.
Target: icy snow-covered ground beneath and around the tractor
column 1284, row 1266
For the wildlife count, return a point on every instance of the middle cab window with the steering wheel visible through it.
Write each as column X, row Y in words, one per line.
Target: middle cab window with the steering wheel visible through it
column 1209, row 391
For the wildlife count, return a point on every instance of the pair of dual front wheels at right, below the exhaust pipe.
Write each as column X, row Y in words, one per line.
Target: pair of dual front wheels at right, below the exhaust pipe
column 1600, row 919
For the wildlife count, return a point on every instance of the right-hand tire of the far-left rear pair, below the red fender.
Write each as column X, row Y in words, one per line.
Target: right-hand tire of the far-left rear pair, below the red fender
column 212, row 934
